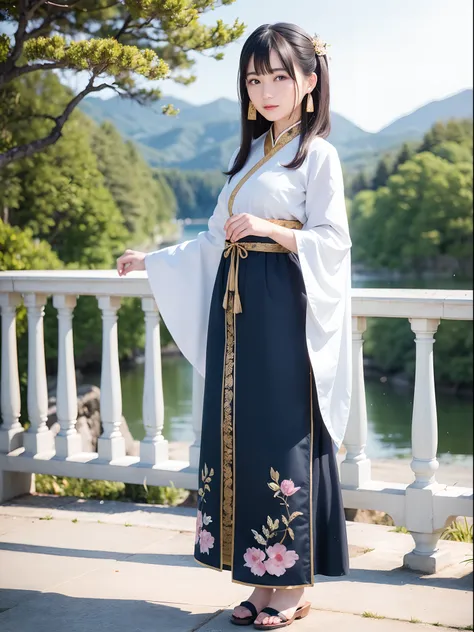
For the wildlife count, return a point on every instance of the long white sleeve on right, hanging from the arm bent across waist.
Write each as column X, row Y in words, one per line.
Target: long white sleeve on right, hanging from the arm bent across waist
column 324, row 246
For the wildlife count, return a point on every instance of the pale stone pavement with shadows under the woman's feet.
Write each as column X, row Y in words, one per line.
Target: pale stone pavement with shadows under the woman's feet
column 75, row 565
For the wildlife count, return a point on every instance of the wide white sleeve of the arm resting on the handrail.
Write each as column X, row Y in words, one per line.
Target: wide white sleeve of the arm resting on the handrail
column 182, row 278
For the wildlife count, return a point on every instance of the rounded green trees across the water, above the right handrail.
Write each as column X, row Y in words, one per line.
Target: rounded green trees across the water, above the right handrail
column 422, row 215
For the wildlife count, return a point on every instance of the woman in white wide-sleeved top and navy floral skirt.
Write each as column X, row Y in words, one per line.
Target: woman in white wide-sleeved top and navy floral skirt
column 269, row 282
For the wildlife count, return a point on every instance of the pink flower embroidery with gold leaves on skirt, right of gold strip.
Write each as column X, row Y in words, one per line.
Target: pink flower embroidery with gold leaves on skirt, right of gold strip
column 279, row 557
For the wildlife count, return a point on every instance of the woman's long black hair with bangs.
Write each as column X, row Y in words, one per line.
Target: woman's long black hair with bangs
column 294, row 46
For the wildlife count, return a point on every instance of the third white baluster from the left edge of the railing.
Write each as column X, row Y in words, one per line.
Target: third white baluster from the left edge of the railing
column 68, row 441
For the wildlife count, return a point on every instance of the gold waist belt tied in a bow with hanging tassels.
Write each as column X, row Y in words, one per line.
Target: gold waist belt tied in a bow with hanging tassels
column 239, row 250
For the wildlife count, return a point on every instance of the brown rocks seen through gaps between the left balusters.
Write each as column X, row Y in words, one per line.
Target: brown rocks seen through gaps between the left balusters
column 88, row 423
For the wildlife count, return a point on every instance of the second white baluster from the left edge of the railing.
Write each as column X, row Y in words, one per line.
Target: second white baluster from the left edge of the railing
column 38, row 438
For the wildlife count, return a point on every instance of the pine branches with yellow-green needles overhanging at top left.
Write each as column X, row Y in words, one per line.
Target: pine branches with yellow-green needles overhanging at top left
column 119, row 45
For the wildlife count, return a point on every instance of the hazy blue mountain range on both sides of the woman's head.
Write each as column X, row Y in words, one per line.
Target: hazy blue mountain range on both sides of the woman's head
column 204, row 136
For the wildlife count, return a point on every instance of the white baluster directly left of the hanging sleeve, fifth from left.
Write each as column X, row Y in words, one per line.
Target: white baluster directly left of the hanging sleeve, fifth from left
column 154, row 447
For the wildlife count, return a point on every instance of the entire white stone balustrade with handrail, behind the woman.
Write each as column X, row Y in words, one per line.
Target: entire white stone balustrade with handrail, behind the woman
column 424, row 507
